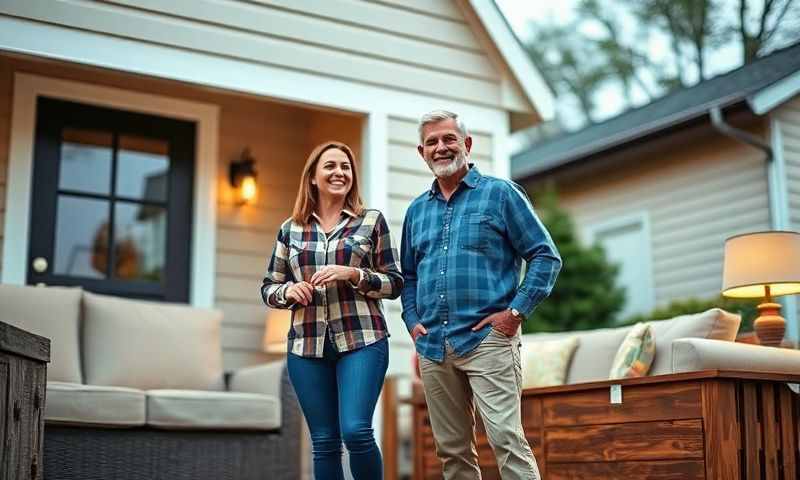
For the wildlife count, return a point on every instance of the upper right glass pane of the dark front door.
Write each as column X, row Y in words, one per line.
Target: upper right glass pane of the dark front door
column 143, row 168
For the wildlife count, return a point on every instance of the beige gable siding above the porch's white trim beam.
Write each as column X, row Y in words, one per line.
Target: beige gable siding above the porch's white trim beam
column 431, row 51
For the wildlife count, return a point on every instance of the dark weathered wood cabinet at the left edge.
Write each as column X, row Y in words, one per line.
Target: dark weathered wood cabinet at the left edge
column 23, row 378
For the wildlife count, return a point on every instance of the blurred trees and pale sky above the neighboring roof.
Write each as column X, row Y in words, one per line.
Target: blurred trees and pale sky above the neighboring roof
column 610, row 43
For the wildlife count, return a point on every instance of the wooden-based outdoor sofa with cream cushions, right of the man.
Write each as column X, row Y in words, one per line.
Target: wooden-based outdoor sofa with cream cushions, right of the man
column 710, row 408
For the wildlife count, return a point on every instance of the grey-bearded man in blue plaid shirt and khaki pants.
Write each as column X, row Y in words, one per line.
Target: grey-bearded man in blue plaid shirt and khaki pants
column 463, row 243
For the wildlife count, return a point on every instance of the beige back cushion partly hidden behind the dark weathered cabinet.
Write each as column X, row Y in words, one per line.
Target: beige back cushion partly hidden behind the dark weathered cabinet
column 54, row 313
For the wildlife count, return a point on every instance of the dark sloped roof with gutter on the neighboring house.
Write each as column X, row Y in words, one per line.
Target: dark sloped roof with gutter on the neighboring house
column 762, row 84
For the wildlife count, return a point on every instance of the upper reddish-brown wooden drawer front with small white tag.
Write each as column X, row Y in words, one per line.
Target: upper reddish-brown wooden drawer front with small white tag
column 640, row 403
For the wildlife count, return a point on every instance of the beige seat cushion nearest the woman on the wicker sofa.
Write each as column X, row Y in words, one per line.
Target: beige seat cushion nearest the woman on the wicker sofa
column 193, row 409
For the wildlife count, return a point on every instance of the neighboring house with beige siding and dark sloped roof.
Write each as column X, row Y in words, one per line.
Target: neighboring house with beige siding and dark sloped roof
column 663, row 185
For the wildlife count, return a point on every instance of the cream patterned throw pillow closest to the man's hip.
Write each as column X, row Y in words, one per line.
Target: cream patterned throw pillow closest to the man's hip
column 545, row 363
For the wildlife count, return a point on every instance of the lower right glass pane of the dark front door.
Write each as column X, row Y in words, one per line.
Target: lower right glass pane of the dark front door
column 140, row 241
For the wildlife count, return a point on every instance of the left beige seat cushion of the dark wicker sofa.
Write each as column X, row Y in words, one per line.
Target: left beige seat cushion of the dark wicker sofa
column 73, row 403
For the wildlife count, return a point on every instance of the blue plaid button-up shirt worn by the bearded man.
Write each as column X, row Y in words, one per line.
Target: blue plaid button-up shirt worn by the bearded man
column 461, row 261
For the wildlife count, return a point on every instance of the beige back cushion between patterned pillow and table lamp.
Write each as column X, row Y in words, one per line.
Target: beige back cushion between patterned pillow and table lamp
column 714, row 324
